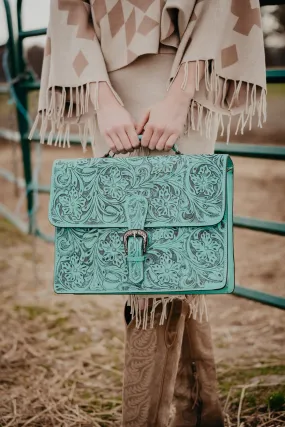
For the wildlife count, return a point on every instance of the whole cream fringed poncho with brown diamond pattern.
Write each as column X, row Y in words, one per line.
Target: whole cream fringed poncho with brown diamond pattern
column 86, row 39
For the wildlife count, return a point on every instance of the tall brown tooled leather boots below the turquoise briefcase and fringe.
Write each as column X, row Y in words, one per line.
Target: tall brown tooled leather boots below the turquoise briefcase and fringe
column 170, row 367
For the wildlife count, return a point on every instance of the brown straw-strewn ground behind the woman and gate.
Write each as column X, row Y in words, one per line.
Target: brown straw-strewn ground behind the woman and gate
column 61, row 357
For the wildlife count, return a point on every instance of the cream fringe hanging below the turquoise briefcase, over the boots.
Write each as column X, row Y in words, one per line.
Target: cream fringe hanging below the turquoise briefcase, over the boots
column 197, row 308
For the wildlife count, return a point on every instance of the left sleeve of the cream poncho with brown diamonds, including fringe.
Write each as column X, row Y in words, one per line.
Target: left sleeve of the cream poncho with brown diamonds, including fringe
column 72, row 68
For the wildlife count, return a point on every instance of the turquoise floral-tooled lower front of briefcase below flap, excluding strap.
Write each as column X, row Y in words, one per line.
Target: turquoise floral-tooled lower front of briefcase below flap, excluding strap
column 182, row 258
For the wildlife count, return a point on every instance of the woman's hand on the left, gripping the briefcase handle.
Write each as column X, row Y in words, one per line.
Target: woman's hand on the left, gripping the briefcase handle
column 115, row 123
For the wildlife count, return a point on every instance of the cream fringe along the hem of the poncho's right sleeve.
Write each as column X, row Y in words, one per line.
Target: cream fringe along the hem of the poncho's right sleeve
column 212, row 83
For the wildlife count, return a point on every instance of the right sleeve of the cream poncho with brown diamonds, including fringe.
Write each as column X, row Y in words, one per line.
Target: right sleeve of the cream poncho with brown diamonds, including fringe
column 225, row 41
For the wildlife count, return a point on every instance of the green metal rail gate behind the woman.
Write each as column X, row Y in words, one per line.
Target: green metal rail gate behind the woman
column 21, row 82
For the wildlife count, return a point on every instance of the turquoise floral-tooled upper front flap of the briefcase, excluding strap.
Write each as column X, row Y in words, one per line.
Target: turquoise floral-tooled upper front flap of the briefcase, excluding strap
column 180, row 190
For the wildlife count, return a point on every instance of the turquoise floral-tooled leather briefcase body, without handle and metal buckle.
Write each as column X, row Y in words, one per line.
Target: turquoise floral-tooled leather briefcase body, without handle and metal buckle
column 182, row 204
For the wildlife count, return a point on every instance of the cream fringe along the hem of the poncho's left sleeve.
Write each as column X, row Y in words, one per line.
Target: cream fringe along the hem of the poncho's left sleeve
column 56, row 121
